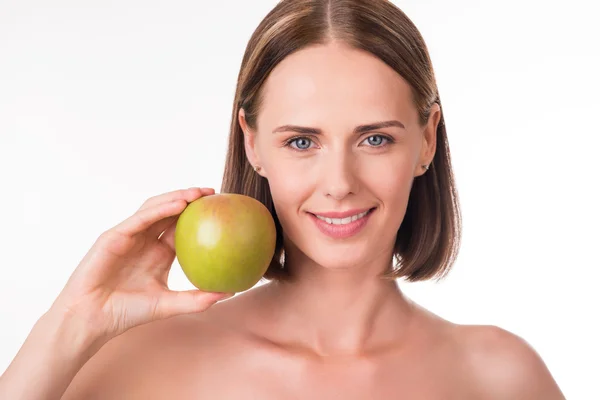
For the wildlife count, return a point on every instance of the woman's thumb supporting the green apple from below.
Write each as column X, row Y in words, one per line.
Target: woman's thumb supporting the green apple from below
column 188, row 301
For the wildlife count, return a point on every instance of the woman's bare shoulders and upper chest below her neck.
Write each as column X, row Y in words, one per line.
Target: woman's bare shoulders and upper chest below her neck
column 235, row 351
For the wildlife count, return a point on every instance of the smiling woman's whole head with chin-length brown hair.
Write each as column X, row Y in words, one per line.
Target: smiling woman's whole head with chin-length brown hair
column 315, row 77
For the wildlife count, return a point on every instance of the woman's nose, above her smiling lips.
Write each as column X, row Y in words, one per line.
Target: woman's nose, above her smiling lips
column 338, row 175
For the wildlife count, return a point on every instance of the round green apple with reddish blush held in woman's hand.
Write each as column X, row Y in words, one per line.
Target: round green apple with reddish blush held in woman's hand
column 225, row 242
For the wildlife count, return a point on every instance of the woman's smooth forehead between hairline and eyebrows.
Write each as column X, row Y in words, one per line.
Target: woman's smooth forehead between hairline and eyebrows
column 333, row 79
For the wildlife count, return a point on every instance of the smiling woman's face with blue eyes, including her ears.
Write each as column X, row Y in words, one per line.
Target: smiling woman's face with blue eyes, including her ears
column 318, row 146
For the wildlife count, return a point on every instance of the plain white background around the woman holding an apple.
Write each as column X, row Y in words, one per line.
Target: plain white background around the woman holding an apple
column 103, row 104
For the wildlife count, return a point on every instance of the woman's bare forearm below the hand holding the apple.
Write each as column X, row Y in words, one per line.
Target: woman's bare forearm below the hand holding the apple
column 56, row 349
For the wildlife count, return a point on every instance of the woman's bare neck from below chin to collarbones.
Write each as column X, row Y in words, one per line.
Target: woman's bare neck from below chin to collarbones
column 345, row 312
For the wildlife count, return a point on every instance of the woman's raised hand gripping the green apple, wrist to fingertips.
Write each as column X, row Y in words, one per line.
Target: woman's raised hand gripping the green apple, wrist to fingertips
column 122, row 281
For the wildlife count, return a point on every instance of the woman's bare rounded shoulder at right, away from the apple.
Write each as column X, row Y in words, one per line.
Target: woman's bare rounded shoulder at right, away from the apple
column 503, row 365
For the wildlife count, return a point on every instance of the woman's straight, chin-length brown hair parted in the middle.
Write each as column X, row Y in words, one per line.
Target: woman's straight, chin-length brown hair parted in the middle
column 429, row 236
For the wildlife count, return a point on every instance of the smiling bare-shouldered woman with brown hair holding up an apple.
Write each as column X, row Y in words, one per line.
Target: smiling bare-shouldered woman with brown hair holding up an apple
column 337, row 127
